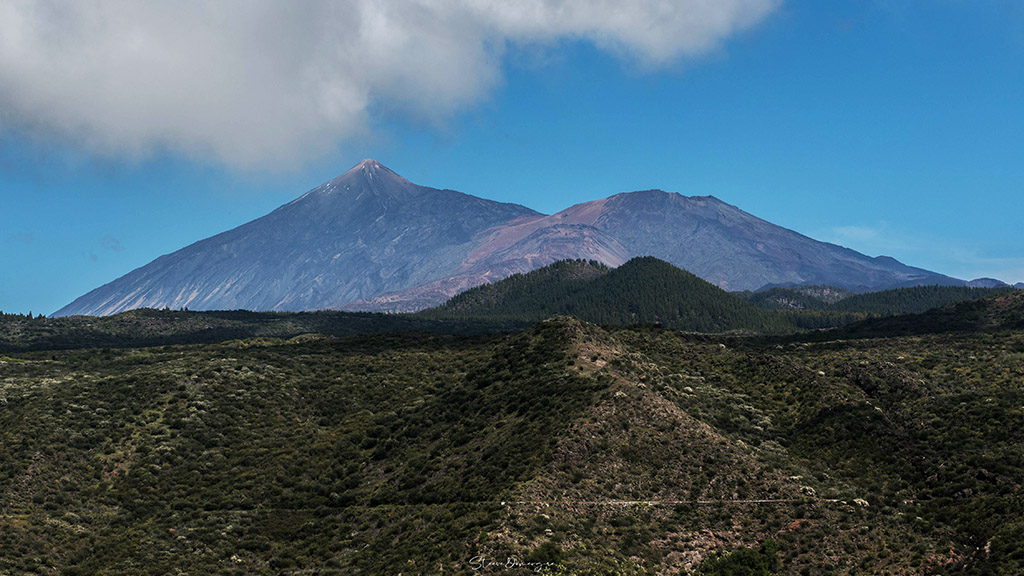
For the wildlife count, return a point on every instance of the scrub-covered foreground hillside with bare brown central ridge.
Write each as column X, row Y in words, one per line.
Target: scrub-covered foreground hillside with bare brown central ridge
column 568, row 448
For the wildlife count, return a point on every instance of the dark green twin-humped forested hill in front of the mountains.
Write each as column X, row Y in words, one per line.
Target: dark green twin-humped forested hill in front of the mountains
column 643, row 291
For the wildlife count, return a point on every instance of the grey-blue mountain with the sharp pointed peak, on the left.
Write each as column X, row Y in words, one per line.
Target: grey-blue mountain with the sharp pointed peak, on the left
column 362, row 234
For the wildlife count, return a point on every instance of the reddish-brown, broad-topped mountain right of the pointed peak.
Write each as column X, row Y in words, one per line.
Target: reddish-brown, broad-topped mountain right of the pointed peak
column 716, row 241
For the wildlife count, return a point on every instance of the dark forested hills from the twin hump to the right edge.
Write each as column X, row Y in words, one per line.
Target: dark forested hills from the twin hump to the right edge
column 650, row 291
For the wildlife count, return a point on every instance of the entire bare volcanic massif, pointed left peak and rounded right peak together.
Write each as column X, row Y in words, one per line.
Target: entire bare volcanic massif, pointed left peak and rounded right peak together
column 373, row 240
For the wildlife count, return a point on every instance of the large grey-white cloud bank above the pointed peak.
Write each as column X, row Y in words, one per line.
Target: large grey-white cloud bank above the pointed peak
column 265, row 85
